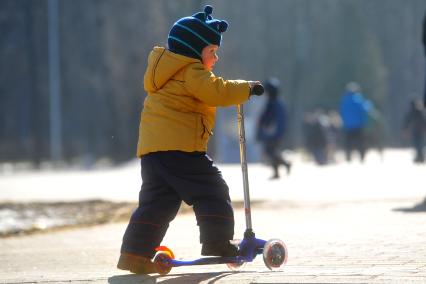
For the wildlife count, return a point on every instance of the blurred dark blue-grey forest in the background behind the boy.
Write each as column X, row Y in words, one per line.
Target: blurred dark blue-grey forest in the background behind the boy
column 313, row 47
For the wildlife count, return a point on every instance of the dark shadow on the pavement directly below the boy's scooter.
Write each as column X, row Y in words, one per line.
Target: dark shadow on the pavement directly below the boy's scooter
column 173, row 278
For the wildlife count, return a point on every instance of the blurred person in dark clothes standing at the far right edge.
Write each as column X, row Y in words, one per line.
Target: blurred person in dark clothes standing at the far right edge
column 414, row 129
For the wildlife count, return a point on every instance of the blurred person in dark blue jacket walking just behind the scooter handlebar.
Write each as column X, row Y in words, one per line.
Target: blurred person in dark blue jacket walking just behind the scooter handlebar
column 272, row 126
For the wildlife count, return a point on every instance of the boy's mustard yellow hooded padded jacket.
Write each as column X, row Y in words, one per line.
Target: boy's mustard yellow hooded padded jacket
column 179, row 110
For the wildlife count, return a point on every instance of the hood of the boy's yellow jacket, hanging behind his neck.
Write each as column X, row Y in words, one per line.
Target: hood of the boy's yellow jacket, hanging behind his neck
column 163, row 65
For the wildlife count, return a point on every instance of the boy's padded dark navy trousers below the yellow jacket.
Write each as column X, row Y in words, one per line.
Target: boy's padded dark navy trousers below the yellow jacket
column 168, row 178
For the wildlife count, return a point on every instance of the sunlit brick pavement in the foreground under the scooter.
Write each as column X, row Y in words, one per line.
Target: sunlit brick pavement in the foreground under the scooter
column 329, row 242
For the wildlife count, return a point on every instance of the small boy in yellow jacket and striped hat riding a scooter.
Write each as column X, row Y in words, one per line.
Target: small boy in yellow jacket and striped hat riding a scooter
column 176, row 123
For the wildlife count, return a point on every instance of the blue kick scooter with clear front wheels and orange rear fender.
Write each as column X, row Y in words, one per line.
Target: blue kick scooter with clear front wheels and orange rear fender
column 274, row 251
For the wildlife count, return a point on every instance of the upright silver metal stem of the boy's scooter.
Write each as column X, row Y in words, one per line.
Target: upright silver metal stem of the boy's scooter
column 241, row 132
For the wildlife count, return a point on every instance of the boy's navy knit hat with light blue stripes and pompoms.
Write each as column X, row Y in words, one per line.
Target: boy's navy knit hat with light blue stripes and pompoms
column 190, row 35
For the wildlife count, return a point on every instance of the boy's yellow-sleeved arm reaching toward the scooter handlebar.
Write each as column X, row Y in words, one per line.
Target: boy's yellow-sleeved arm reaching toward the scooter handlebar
column 215, row 91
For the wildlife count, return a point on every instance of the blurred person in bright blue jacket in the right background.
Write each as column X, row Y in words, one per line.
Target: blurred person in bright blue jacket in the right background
column 354, row 113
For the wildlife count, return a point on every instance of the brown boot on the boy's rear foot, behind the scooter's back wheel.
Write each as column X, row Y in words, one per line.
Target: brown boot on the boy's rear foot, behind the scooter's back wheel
column 136, row 264
